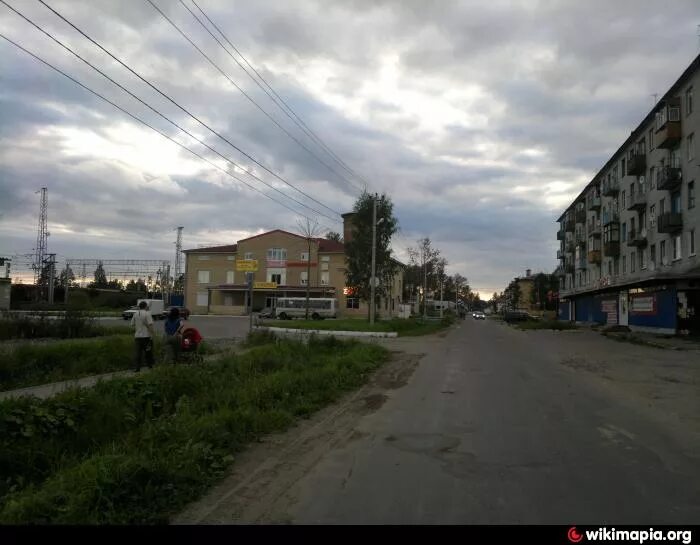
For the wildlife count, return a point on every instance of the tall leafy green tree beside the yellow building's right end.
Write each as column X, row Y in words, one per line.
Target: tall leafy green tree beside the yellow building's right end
column 359, row 249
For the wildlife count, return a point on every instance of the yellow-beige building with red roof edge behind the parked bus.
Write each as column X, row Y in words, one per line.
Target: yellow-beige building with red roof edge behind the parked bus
column 214, row 286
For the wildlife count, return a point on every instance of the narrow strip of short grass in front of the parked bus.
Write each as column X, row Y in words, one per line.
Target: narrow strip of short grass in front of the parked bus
column 404, row 328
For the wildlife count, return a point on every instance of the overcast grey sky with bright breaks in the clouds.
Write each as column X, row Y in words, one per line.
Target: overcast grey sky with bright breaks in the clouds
column 480, row 120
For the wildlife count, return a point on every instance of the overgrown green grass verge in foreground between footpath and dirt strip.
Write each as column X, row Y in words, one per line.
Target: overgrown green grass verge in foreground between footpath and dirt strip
column 137, row 450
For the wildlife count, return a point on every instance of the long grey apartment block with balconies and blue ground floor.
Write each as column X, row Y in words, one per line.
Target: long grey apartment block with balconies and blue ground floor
column 628, row 242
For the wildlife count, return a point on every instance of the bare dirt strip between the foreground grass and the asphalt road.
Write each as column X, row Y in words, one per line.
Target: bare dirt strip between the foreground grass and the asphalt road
column 254, row 487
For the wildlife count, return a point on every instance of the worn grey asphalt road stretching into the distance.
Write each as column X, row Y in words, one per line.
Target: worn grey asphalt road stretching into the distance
column 493, row 429
